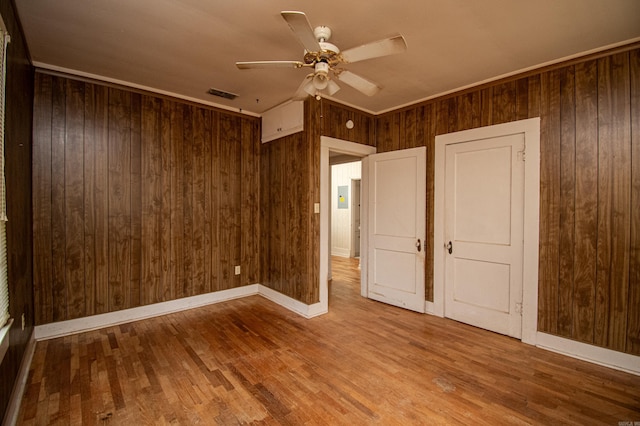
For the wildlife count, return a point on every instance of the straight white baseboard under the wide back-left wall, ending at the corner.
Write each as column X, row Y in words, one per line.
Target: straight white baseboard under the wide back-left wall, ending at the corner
column 94, row 322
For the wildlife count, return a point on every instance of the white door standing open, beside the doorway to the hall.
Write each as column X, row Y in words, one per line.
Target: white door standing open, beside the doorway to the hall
column 396, row 230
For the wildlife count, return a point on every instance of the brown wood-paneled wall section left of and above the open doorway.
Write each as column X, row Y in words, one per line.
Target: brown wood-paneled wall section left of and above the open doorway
column 290, row 181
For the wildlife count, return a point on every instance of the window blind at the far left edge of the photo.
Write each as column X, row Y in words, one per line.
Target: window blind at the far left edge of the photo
column 4, row 281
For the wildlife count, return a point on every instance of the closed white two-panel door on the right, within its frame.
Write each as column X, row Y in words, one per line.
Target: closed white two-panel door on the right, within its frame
column 484, row 186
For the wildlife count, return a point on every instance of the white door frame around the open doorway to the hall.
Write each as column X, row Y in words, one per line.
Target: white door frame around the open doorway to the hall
column 328, row 144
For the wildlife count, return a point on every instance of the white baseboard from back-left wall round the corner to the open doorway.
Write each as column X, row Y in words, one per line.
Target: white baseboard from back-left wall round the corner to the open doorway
column 94, row 322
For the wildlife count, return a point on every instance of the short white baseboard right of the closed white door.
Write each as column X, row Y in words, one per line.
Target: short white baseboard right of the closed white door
column 595, row 354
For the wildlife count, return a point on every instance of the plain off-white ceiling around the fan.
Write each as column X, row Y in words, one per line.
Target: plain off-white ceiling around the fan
column 184, row 47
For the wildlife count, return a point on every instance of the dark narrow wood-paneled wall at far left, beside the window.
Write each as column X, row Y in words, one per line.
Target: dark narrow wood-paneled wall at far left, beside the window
column 18, row 122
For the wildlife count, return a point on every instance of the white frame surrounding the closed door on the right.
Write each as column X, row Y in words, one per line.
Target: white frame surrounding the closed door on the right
column 531, row 130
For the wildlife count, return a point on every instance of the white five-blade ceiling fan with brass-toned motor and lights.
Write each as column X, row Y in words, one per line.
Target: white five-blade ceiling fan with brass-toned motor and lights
column 325, row 57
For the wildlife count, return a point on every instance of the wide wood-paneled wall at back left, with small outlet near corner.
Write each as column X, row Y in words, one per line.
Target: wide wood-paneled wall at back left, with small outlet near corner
column 138, row 199
